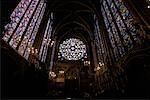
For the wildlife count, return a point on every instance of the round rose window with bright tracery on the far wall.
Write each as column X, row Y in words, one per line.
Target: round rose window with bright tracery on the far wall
column 72, row 49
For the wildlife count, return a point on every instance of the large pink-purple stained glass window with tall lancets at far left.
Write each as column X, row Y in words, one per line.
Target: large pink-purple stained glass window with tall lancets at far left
column 20, row 33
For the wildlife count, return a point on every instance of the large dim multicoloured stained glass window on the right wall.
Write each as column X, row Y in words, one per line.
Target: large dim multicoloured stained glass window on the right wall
column 118, row 22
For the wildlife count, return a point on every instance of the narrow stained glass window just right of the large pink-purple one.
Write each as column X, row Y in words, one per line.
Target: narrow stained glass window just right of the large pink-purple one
column 46, row 39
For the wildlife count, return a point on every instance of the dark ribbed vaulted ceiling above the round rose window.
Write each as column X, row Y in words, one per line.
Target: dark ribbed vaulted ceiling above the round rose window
column 73, row 16
